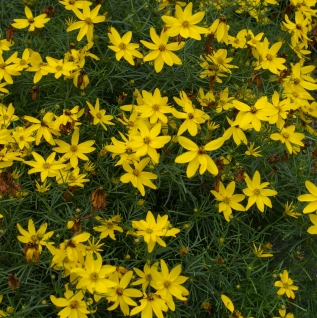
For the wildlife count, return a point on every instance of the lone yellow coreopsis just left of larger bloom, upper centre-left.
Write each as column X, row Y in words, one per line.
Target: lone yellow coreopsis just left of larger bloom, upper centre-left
column 123, row 47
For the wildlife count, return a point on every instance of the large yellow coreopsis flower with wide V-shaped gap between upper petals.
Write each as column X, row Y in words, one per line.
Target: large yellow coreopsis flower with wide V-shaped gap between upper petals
column 197, row 156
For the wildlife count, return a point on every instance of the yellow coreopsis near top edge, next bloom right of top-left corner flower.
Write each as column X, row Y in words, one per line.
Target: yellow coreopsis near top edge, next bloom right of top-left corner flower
column 88, row 18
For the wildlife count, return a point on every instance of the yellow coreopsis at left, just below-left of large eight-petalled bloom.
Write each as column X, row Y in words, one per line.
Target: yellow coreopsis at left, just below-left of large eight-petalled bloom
column 47, row 168
